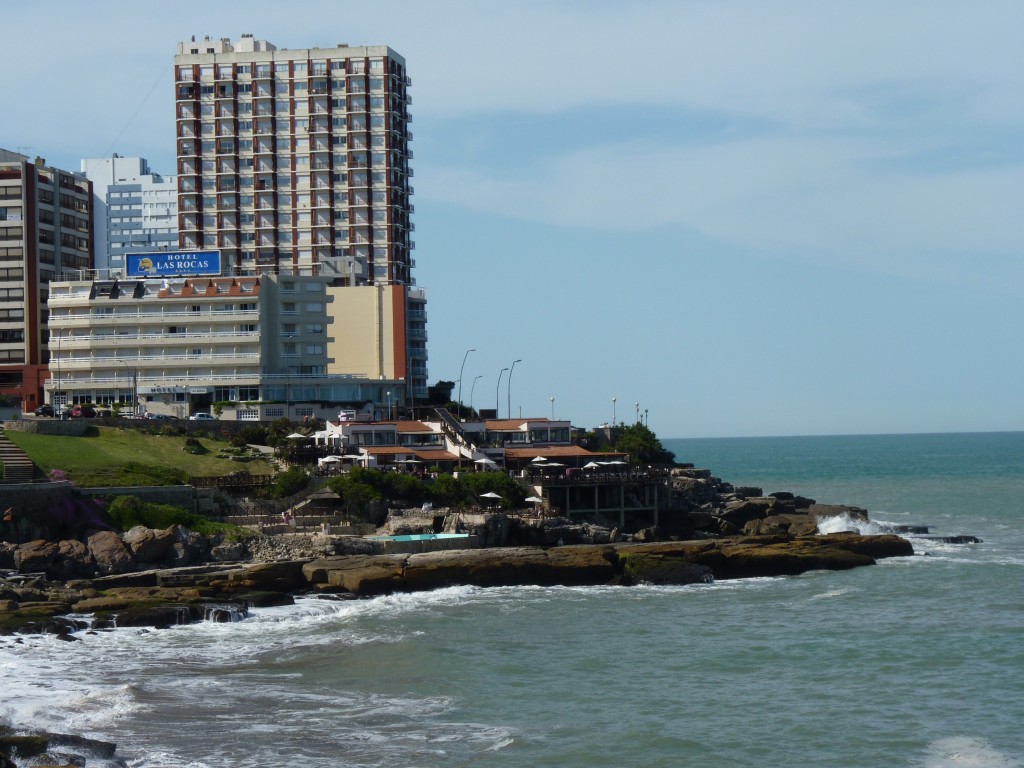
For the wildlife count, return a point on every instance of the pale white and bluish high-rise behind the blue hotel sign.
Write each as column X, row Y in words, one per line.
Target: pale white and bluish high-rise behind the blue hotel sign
column 135, row 210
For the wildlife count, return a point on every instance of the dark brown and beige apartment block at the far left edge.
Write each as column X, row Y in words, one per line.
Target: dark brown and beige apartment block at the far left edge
column 46, row 236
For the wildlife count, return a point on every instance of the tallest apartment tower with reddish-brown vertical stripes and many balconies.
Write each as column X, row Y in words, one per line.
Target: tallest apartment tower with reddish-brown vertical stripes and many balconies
column 297, row 161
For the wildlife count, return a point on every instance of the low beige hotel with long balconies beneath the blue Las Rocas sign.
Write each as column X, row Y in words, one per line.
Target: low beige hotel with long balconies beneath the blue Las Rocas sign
column 251, row 348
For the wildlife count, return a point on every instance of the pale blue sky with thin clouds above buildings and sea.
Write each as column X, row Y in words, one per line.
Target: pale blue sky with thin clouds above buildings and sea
column 750, row 219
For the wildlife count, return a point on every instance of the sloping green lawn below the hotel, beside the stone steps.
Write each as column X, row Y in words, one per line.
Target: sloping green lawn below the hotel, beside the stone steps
column 130, row 457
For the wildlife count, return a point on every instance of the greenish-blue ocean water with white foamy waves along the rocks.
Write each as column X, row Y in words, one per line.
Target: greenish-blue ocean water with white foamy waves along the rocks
column 916, row 662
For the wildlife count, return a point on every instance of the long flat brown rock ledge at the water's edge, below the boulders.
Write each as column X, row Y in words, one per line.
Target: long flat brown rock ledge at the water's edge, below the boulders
column 225, row 592
